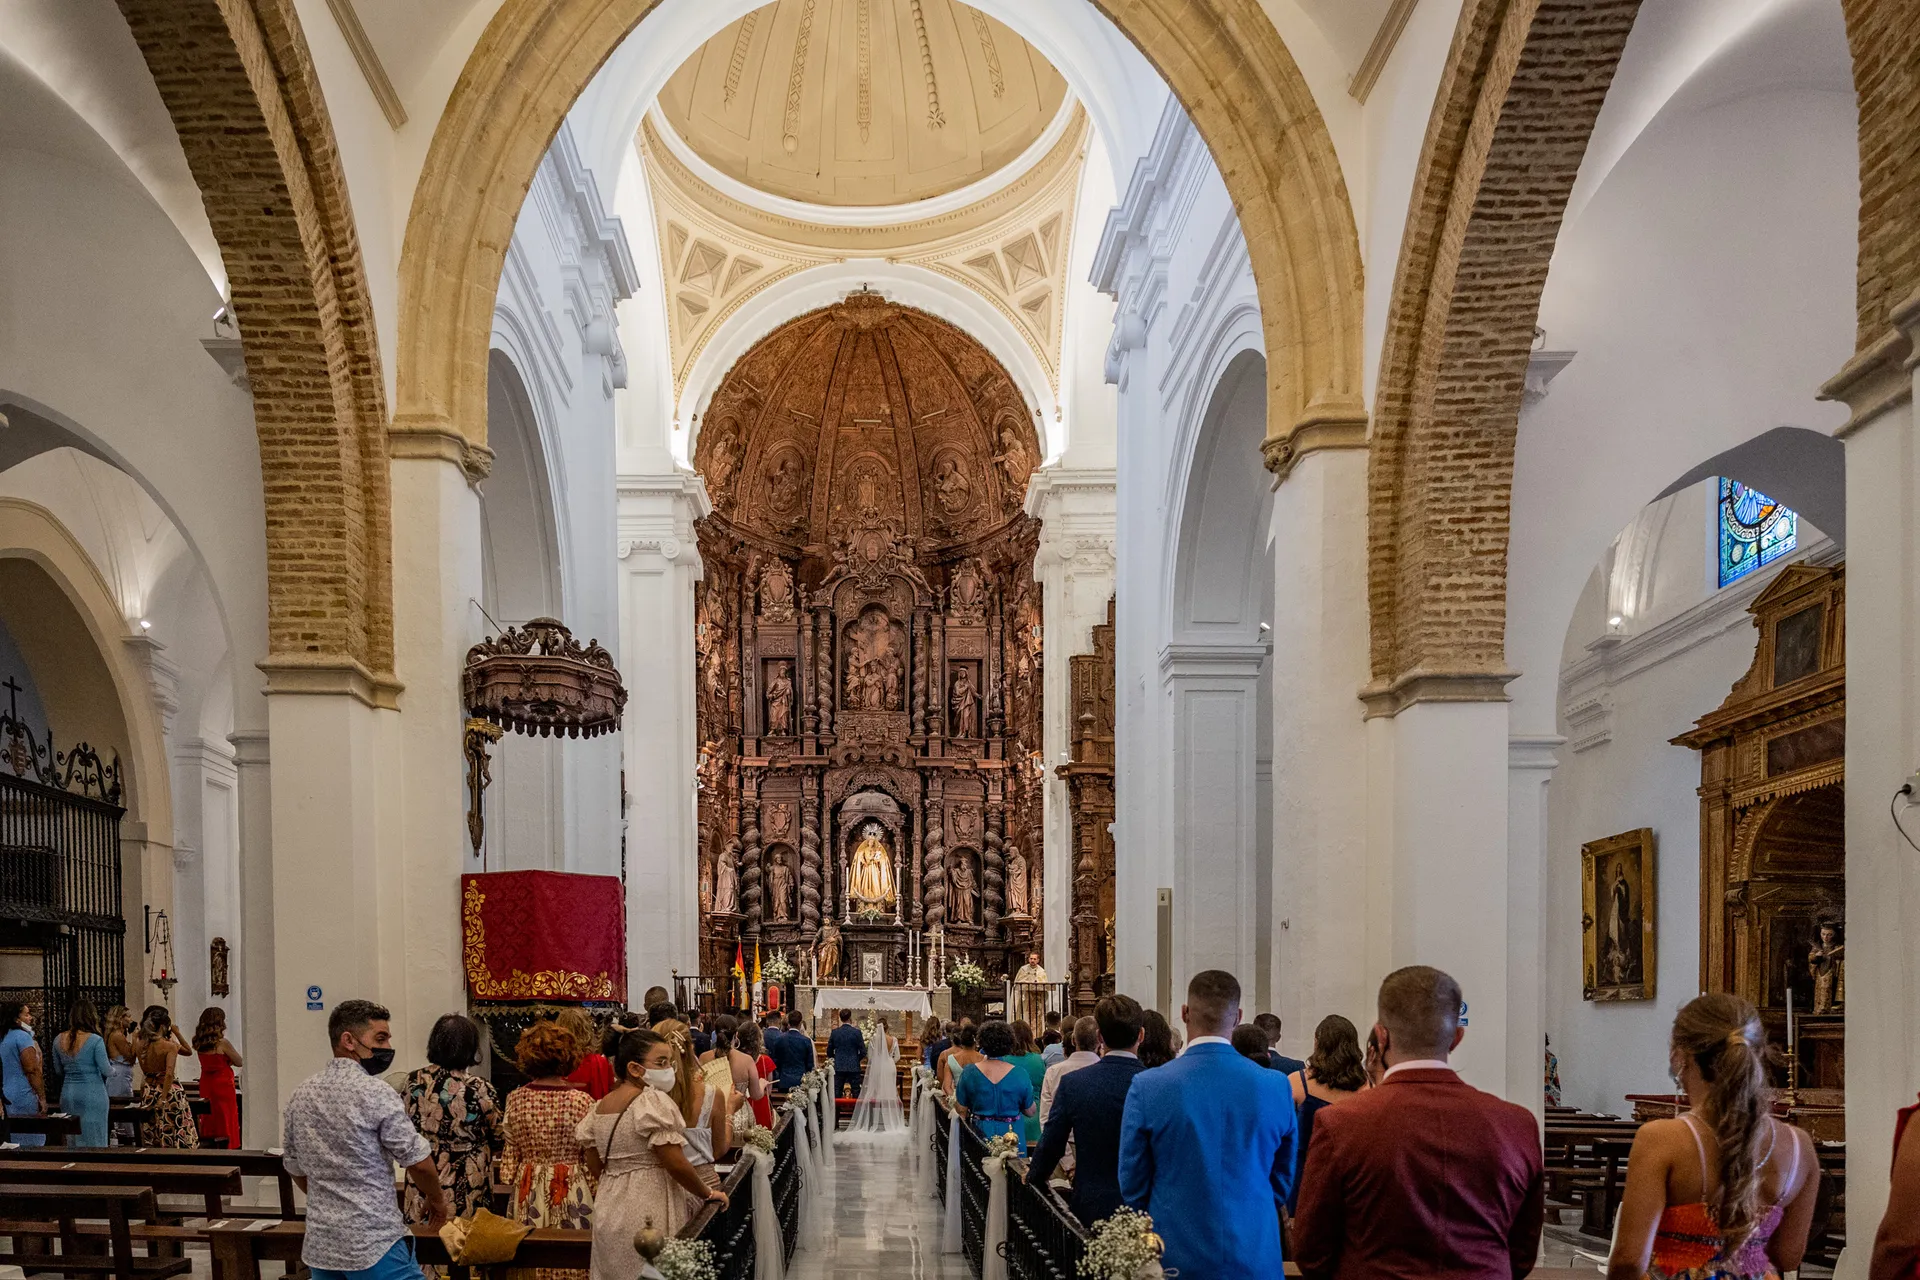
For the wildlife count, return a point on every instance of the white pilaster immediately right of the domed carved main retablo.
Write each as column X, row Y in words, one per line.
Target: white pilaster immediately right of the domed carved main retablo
column 1076, row 573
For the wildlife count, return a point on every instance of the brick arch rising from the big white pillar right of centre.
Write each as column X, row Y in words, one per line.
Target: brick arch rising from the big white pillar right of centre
column 1510, row 128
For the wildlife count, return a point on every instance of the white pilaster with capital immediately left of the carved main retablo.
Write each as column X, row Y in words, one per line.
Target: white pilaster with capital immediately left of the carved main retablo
column 660, row 565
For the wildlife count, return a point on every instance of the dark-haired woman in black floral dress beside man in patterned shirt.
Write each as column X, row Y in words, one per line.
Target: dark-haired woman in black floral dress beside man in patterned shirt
column 458, row 1114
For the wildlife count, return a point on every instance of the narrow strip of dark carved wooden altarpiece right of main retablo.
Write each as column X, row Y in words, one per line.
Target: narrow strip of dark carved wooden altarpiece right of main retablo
column 1090, row 776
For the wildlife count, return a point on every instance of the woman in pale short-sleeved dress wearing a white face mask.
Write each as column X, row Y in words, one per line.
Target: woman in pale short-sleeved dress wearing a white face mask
column 635, row 1143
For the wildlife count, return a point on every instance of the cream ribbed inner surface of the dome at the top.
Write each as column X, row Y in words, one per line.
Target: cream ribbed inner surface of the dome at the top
column 863, row 103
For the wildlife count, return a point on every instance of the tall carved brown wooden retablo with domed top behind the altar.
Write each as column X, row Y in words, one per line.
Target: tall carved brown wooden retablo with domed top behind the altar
column 869, row 640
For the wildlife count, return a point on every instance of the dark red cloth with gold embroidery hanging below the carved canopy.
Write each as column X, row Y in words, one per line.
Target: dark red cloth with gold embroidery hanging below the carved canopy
column 544, row 936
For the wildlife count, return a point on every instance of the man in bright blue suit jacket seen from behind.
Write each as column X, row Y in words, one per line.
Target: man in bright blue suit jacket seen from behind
column 1207, row 1145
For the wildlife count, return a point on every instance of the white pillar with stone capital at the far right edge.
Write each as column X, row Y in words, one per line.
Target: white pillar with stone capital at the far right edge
column 1883, row 751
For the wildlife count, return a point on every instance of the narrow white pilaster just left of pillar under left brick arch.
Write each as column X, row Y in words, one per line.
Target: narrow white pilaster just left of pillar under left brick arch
column 252, row 959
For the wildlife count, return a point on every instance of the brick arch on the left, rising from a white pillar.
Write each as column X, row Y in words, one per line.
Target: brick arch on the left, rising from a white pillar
column 241, row 89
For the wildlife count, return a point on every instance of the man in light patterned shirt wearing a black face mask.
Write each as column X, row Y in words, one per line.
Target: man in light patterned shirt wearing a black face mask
column 345, row 1133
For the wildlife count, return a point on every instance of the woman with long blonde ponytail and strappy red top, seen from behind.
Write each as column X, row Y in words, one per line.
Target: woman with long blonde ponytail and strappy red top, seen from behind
column 1725, row 1193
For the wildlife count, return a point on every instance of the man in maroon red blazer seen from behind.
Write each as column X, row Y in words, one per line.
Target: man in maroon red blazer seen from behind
column 1424, row 1175
